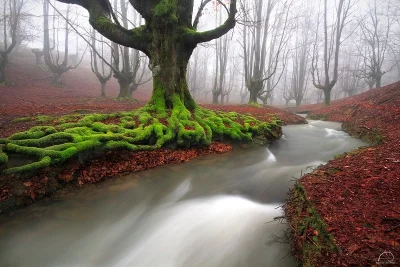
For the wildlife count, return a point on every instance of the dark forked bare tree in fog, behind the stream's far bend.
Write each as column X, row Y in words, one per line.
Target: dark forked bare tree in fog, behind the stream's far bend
column 331, row 48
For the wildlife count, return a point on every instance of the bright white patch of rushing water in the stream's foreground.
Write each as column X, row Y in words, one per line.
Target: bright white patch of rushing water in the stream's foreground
column 179, row 234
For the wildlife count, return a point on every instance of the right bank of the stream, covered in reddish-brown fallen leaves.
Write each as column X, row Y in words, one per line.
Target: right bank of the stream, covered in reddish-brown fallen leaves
column 347, row 212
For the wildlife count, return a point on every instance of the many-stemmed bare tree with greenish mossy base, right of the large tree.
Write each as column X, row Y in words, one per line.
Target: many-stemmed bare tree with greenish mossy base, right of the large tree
column 261, row 64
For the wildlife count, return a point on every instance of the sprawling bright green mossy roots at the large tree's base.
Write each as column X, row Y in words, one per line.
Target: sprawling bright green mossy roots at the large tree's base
column 150, row 127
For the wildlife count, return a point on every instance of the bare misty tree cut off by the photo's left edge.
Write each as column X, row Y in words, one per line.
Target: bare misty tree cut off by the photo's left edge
column 11, row 20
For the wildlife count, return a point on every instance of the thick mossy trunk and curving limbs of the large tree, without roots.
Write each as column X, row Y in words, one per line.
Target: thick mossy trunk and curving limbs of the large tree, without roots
column 168, row 38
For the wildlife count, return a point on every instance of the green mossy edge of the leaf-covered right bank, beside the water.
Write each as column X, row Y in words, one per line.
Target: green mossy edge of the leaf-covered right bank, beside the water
column 310, row 238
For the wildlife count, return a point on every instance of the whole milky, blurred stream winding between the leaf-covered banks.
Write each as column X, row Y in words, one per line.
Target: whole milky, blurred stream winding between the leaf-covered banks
column 213, row 211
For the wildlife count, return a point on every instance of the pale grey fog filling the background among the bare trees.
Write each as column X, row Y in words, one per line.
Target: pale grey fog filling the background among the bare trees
column 293, row 55
